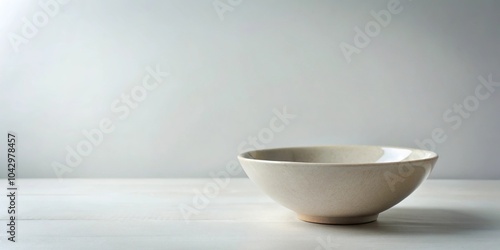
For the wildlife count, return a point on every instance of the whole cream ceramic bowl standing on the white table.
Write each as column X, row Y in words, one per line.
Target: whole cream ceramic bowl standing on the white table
column 338, row 184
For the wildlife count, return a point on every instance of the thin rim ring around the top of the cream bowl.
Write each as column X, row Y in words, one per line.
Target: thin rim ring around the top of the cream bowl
column 433, row 156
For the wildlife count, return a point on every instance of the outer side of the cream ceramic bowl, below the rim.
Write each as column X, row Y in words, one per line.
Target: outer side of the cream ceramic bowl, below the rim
column 335, row 190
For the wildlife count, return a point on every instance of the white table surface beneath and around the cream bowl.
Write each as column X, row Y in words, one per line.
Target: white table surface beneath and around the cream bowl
column 144, row 214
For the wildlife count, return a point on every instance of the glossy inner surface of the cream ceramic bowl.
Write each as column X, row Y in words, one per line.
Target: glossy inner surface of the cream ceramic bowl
column 340, row 154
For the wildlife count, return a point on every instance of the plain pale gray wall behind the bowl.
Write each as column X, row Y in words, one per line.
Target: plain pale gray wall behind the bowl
column 228, row 72
